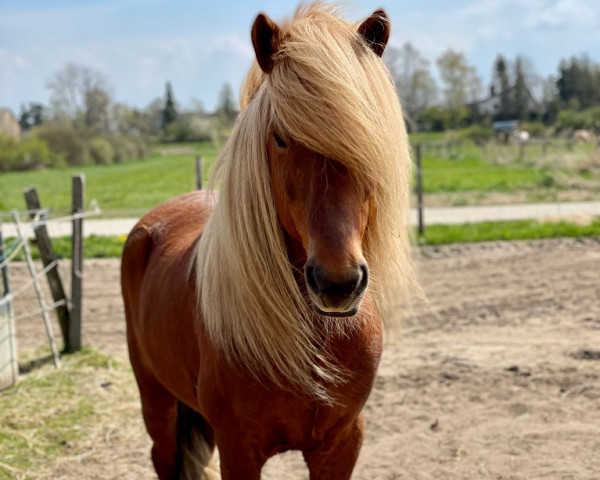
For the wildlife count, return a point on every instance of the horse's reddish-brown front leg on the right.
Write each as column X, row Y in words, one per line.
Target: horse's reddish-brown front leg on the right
column 335, row 457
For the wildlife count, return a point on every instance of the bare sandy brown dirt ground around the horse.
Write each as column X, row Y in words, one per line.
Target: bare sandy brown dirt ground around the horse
column 497, row 378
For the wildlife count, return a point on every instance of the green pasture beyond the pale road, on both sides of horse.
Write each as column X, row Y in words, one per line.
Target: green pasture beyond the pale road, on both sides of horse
column 453, row 174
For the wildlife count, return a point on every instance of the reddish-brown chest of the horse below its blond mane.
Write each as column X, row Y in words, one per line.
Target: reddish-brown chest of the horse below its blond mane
column 273, row 419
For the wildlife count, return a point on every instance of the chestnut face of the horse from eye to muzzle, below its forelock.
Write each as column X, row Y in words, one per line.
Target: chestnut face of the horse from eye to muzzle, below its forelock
column 324, row 212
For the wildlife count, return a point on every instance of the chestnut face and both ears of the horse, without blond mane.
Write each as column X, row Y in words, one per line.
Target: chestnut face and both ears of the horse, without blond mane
column 322, row 205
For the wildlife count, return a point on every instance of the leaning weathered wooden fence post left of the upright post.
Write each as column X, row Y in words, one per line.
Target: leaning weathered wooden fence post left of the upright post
column 47, row 254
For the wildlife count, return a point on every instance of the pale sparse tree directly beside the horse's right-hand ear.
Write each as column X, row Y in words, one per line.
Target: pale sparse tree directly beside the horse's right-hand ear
column 415, row 85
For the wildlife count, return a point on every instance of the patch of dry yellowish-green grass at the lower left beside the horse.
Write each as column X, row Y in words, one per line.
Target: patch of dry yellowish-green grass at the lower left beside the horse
column 56, row 417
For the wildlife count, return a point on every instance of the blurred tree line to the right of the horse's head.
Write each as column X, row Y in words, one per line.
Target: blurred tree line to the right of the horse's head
column 568, row 99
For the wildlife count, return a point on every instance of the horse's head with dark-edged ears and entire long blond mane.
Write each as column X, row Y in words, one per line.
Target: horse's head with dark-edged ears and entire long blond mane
column 319, row 153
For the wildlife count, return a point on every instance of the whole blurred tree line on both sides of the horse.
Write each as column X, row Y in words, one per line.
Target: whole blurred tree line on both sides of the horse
column 84, row 124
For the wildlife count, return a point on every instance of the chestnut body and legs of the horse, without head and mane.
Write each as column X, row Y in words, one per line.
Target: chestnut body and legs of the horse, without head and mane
column 174, row 361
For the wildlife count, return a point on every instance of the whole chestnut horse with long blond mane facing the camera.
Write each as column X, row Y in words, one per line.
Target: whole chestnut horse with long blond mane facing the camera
column 254, row 318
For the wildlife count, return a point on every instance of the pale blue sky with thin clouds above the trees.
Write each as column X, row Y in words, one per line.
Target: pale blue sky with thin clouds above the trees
column 199, row 45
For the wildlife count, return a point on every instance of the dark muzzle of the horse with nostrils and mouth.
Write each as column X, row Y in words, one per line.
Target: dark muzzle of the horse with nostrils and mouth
column 336, row 295
